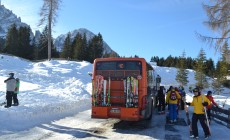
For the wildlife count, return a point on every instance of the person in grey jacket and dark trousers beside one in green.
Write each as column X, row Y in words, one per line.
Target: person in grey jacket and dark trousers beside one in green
column 10, row 88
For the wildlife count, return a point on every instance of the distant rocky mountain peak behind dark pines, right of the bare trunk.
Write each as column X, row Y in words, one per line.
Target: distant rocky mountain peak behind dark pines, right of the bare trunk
column 59, row 41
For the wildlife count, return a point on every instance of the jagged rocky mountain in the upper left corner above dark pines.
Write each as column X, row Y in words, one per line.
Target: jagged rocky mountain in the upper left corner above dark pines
column 7, row 18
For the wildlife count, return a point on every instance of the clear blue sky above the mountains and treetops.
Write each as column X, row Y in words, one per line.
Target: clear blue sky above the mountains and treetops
column 130, row 27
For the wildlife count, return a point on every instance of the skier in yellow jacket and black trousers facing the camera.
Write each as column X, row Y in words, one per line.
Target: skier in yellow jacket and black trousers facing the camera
column 199, row 102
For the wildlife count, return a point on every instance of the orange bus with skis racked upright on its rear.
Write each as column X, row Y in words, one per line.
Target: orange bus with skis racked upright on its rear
column 123, row 88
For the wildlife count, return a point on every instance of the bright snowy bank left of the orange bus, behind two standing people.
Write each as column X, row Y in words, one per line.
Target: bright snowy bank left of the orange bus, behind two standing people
column 48, row 89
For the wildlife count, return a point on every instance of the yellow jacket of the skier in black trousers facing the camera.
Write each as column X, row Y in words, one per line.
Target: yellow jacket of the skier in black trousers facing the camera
column 197, row 103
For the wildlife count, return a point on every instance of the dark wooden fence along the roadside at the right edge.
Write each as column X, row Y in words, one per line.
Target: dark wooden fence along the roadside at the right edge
column 221, row 114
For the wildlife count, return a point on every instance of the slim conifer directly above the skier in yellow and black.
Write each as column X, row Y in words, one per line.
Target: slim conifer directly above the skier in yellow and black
column 200, row 70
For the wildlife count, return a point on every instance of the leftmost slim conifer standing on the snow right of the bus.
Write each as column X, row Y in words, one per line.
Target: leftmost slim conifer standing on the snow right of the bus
column 182, row 73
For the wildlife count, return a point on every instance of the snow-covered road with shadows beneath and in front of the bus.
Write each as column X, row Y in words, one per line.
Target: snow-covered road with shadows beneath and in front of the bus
column 81, row 126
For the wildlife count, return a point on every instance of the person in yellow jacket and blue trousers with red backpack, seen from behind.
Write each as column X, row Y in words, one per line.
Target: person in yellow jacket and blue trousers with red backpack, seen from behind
column 171, row 99
